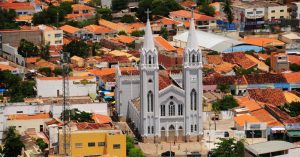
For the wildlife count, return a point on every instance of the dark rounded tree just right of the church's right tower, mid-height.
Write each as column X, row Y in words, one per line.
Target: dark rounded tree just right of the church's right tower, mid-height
column 226, row 103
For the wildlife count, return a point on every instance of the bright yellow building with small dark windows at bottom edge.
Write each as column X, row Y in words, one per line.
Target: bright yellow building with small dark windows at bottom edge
column 106, row 140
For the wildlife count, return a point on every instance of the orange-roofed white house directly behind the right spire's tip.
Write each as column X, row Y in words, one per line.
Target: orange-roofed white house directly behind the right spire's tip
column 203, row 22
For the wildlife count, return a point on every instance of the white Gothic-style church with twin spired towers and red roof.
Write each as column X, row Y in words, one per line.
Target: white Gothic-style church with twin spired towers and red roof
column 164, row 107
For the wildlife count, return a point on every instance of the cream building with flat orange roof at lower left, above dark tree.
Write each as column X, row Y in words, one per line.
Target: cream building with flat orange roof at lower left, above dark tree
column 23, row 122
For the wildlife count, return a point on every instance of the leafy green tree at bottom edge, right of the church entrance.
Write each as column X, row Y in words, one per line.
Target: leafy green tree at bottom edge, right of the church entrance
column 229, row 148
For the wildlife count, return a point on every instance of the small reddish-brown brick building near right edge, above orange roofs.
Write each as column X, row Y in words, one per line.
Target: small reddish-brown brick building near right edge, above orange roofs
column 279, row 62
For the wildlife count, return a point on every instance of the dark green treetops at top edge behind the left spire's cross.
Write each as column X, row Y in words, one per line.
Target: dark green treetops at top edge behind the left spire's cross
column 157, row 7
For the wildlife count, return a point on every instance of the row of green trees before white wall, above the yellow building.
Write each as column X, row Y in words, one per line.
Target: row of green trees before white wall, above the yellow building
column 76, row 115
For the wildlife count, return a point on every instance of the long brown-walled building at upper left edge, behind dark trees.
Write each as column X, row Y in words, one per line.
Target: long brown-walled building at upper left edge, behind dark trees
column 13, row 37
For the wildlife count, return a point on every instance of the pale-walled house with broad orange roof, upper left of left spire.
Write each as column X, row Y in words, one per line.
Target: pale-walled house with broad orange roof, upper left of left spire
column 96, row 33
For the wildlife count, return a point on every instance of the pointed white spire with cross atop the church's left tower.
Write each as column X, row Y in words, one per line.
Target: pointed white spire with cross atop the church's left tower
column 148, row 38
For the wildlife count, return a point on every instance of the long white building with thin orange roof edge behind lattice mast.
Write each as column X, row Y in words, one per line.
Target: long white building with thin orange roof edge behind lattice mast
column 53, row 86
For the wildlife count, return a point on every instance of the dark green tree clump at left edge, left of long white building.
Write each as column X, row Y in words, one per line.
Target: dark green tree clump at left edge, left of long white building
column 17, row 89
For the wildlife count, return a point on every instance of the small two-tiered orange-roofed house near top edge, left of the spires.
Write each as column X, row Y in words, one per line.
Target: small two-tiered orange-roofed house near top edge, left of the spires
column 81, row 12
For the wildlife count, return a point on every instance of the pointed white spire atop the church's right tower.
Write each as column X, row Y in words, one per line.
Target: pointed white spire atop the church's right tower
column 192, row 42
